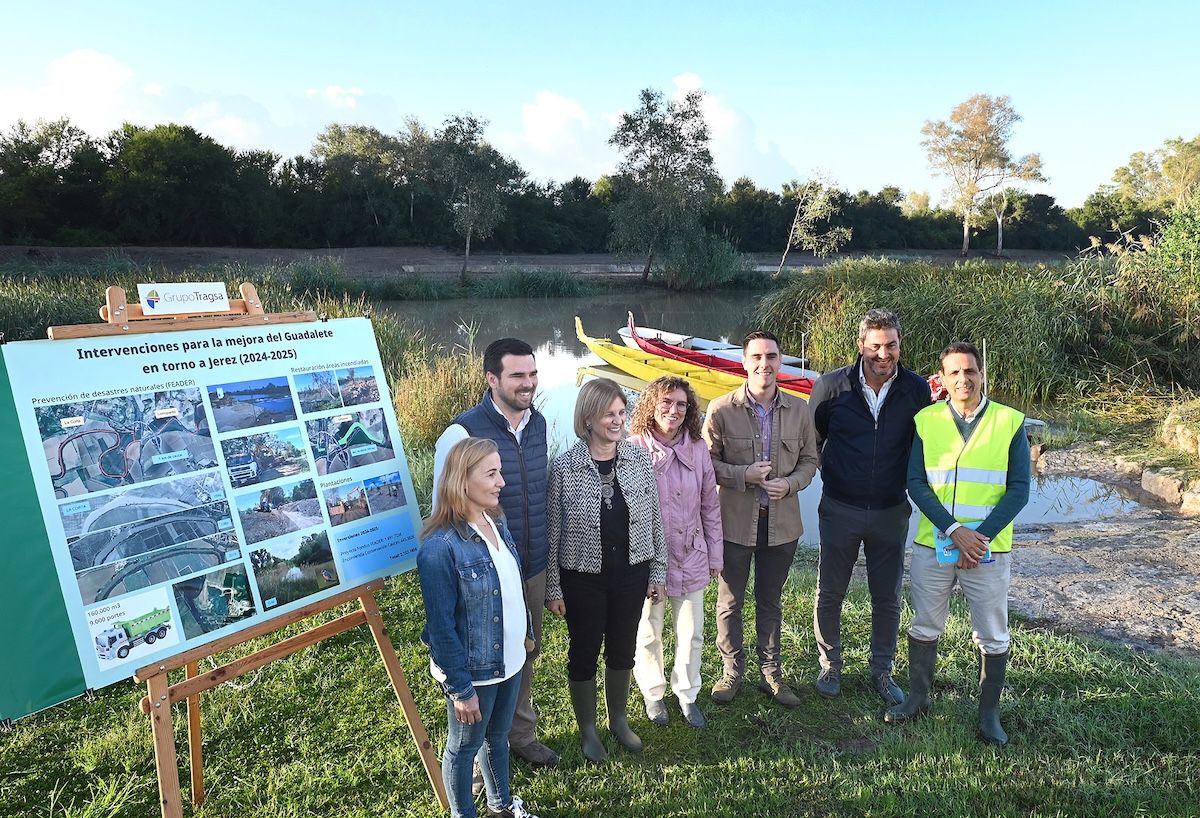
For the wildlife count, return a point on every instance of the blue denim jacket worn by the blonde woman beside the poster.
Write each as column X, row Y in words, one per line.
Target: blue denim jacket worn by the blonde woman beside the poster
column 464, row 609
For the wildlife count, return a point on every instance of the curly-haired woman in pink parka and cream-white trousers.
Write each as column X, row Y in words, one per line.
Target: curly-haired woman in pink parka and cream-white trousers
column 667, row 423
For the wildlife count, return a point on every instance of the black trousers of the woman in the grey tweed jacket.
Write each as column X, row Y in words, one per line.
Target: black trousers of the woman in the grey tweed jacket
column 603, row 609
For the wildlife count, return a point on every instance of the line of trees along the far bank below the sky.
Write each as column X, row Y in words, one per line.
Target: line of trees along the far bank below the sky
column 359, row 187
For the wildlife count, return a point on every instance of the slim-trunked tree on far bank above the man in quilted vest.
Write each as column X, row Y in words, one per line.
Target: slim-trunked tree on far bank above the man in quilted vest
column 478, row 178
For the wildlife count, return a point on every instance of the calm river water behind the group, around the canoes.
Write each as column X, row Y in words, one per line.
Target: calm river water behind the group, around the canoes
column 549, row 327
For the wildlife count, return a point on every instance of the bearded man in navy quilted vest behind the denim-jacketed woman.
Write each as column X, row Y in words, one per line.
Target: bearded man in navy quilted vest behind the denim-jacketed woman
column 507, row 417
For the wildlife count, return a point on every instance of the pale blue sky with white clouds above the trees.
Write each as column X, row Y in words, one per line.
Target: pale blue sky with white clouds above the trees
column 794, row 88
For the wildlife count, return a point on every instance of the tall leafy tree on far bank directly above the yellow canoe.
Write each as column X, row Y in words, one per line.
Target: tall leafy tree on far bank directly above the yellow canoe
column 670, row 175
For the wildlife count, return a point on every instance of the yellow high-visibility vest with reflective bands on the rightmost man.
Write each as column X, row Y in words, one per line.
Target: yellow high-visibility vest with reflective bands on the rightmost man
column 968, row 478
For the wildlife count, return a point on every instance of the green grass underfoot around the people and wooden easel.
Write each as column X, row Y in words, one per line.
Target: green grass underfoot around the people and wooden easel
column 1097, row 731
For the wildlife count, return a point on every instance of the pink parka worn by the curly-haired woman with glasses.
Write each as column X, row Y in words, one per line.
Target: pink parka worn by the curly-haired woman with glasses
column 692, row 512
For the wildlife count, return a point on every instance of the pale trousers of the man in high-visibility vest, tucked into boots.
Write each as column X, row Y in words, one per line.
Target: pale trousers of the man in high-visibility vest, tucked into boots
column 986, row 588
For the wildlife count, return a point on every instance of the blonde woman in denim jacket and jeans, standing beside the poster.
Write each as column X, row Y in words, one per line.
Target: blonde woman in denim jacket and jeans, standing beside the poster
column 477, row 628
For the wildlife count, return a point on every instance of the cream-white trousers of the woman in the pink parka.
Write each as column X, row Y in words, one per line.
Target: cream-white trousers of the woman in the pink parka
column 688, row 618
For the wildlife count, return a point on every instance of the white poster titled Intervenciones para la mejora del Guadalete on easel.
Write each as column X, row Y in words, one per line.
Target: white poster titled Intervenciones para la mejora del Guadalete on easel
column 194, row 484
